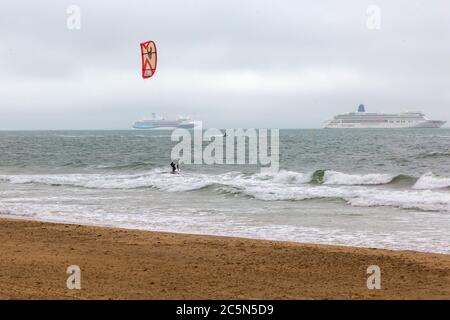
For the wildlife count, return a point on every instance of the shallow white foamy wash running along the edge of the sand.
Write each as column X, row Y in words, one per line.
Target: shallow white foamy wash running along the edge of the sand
column 218, row 222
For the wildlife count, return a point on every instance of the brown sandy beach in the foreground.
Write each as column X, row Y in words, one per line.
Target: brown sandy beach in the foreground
column 129, row 264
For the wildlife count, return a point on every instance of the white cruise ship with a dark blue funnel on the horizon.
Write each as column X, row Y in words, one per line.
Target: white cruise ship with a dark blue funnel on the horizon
column 363, row 119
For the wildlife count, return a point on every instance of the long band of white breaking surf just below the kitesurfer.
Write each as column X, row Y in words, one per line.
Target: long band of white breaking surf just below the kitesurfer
column 356, row 190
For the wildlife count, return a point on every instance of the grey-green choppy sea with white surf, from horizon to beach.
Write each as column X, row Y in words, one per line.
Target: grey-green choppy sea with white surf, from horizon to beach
column 367, row 188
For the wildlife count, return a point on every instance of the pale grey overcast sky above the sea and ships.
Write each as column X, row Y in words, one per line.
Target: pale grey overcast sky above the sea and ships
column 230, row 63
